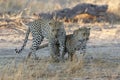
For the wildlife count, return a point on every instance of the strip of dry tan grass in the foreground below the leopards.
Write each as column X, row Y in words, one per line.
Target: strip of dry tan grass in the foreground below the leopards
column 45, row 69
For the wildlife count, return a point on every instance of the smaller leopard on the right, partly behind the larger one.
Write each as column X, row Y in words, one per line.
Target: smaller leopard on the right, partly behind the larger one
column 75, row 42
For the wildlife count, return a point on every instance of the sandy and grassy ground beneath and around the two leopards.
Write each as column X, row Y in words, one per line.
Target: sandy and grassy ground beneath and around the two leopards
column 101, row 61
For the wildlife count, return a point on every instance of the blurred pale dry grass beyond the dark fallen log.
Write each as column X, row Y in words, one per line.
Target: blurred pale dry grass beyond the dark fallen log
column 37, row 6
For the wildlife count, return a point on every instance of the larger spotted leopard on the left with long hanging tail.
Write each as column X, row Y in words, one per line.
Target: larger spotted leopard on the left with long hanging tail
column 51, row 29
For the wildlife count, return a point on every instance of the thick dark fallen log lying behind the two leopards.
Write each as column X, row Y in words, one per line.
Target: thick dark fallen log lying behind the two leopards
column 70, row 13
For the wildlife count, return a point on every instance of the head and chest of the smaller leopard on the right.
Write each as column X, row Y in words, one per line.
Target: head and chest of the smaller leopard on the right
column 81, row 37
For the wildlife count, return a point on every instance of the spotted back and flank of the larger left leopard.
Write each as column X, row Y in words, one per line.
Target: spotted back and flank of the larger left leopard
column 39, row 27
